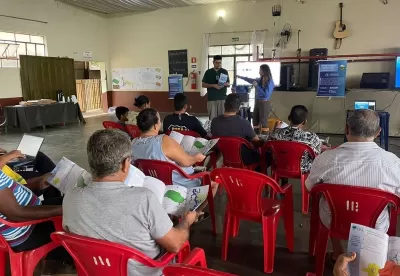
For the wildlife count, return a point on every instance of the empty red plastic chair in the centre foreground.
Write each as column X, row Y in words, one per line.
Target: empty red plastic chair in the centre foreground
column 245, row 201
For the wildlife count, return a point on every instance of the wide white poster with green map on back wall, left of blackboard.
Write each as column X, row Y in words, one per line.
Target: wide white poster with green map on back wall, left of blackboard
column 137, row 79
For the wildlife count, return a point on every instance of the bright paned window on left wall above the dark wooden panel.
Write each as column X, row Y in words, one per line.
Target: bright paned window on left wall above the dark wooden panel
column 12, row 45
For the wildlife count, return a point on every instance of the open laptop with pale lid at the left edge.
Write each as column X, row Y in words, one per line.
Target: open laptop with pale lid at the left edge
column 28, row 146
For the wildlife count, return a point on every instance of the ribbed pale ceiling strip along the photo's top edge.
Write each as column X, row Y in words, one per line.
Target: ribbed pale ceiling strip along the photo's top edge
column 115, row 6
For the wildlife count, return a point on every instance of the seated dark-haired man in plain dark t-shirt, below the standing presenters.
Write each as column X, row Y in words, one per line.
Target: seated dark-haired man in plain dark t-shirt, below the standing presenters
column 231, row 124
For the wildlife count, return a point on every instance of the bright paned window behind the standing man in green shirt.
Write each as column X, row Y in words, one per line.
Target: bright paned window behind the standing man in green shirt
column 231, row 54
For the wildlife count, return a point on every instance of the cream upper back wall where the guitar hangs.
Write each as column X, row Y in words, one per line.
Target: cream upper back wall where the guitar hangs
column 140, row 40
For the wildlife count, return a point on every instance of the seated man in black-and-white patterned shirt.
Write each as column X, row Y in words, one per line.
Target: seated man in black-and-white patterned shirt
column 294, row 132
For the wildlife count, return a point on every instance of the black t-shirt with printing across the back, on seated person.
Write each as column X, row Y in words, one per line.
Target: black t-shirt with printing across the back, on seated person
column 183, row 122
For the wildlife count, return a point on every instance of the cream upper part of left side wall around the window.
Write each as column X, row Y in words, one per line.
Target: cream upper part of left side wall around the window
column 69, row 32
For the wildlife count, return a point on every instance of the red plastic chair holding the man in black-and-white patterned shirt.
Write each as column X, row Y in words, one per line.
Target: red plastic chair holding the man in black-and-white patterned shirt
column 286, row 163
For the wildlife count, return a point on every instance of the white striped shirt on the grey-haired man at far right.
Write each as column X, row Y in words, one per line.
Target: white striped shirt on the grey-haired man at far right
column 362, row 164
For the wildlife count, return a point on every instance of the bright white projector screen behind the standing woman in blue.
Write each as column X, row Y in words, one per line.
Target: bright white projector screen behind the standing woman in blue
column 251, row 69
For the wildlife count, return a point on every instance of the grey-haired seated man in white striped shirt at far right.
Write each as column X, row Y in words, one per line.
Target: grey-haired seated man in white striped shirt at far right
column 359, row 162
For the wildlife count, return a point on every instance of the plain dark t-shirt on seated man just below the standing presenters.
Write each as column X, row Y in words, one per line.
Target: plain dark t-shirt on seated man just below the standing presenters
column 234, row 126
